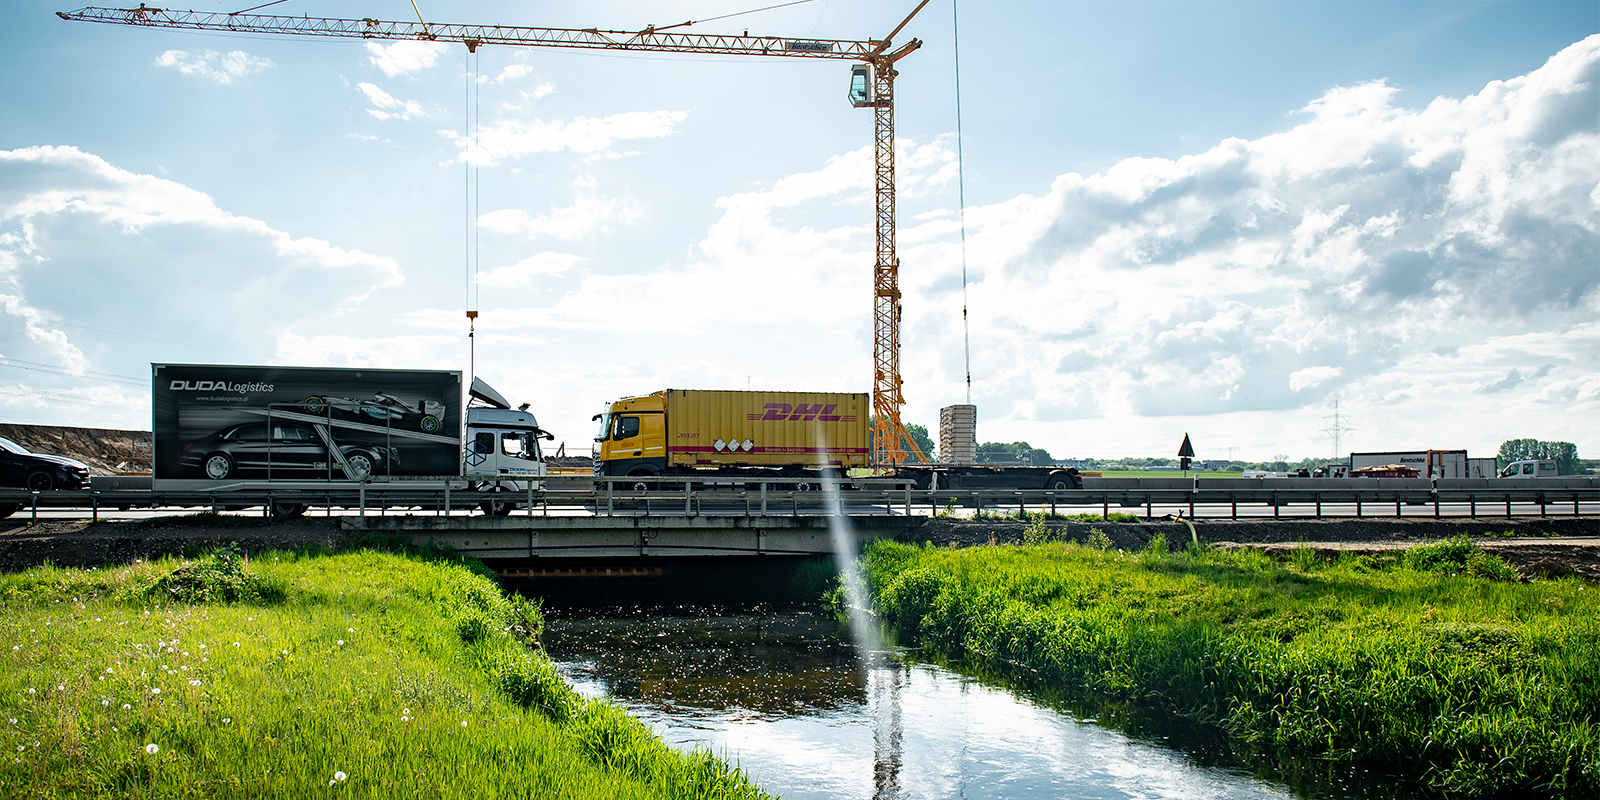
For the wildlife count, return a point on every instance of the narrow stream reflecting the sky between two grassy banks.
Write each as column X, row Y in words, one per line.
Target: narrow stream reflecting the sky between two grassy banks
column 786, row 698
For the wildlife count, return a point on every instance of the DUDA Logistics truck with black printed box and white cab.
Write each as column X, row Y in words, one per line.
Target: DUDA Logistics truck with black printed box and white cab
column 247, row 428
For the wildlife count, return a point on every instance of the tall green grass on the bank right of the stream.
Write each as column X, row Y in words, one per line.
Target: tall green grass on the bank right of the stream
column 1433, row 663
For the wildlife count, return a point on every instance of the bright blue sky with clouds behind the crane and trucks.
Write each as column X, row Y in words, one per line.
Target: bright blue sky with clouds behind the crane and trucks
column 1182, row 218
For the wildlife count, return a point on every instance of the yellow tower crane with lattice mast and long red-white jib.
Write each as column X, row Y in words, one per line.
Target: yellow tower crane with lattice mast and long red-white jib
column 871, row 87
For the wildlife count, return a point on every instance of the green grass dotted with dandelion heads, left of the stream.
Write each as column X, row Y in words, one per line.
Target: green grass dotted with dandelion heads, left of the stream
column 362, row 674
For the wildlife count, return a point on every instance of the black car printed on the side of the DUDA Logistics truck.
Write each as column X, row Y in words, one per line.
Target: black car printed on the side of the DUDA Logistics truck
column 289, row 449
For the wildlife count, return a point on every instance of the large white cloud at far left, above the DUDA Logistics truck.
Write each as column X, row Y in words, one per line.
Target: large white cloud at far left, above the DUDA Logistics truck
column 87, row 249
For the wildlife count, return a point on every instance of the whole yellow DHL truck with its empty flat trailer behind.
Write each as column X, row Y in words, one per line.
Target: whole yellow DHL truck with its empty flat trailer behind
column 692, row 433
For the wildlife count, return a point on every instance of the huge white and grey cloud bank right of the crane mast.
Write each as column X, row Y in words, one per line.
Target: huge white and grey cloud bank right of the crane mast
column 1342, row 257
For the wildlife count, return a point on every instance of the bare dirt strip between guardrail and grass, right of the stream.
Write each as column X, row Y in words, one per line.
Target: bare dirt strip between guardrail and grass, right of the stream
column 1551, row 546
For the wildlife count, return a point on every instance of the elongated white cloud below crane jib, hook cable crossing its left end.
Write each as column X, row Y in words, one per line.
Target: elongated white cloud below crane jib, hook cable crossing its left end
column 593, row 137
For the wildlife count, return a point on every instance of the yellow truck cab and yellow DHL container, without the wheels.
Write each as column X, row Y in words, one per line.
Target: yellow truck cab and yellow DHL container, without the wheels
column 687, row 430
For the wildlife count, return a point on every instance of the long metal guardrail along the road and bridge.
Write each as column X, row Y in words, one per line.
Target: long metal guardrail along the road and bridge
column 796, row 497
